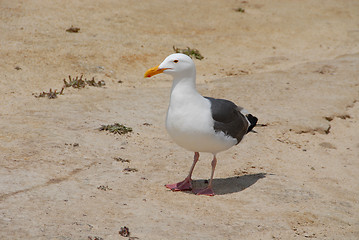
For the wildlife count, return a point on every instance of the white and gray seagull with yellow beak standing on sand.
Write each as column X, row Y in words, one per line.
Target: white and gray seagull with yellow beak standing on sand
column 197, row 123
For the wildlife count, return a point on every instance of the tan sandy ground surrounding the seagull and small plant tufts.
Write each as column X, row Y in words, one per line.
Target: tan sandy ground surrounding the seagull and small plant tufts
column 293, row 64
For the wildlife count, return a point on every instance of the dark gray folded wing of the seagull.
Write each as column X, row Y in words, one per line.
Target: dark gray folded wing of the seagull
column 228, row 118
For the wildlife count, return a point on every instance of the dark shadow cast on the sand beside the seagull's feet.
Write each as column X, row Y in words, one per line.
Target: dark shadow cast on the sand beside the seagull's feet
column 222, row 186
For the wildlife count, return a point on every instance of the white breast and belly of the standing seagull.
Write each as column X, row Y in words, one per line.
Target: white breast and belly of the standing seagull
column 189, row 122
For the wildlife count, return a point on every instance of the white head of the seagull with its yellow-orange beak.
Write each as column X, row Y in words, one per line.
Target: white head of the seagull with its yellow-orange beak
column 177, row 64
